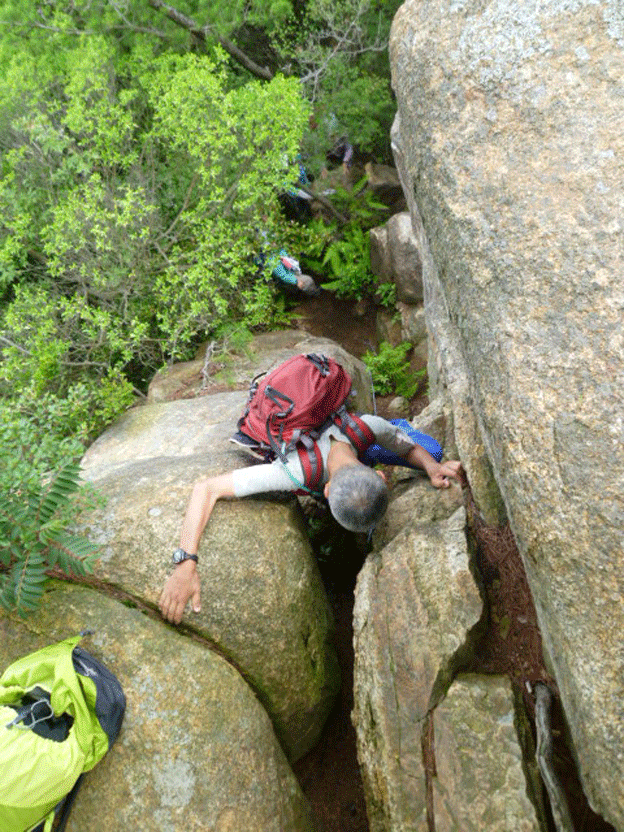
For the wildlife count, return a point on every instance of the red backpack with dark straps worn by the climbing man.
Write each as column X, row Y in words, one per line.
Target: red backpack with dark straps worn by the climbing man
column 288, row 408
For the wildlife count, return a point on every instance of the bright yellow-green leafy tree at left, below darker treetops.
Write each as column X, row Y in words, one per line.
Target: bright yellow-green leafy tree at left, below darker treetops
column 131, row 196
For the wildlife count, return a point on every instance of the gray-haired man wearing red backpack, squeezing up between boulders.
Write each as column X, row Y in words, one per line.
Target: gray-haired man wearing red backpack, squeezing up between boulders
column 325, row 460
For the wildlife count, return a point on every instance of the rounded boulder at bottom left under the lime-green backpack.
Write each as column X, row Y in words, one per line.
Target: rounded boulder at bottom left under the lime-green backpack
column 196, row 750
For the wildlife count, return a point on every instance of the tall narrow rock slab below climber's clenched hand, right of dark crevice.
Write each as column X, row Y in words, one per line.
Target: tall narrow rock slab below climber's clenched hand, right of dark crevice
column 416, row 603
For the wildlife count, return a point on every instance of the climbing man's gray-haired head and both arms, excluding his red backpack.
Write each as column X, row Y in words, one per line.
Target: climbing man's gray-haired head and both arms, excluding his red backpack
column 357, row 495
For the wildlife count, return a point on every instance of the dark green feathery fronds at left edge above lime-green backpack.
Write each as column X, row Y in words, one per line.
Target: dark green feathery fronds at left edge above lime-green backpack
column 33, row 539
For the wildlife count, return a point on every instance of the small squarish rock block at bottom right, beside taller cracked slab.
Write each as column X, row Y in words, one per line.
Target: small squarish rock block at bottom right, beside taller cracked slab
column 479, row 783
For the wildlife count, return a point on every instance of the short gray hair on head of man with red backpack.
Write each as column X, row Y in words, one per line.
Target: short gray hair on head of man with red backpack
column 358, row 497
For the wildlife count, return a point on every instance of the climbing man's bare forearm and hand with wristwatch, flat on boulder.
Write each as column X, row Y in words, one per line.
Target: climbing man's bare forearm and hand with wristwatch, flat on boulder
column 183, row 583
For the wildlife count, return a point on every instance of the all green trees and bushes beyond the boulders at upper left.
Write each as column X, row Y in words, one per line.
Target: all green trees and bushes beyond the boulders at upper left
column 138, row 164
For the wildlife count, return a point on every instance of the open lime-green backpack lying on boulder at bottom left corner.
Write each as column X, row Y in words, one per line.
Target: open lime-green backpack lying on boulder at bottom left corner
column 60, row 711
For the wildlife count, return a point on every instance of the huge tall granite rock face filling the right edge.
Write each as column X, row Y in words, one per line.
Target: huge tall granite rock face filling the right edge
column 510, row 144
